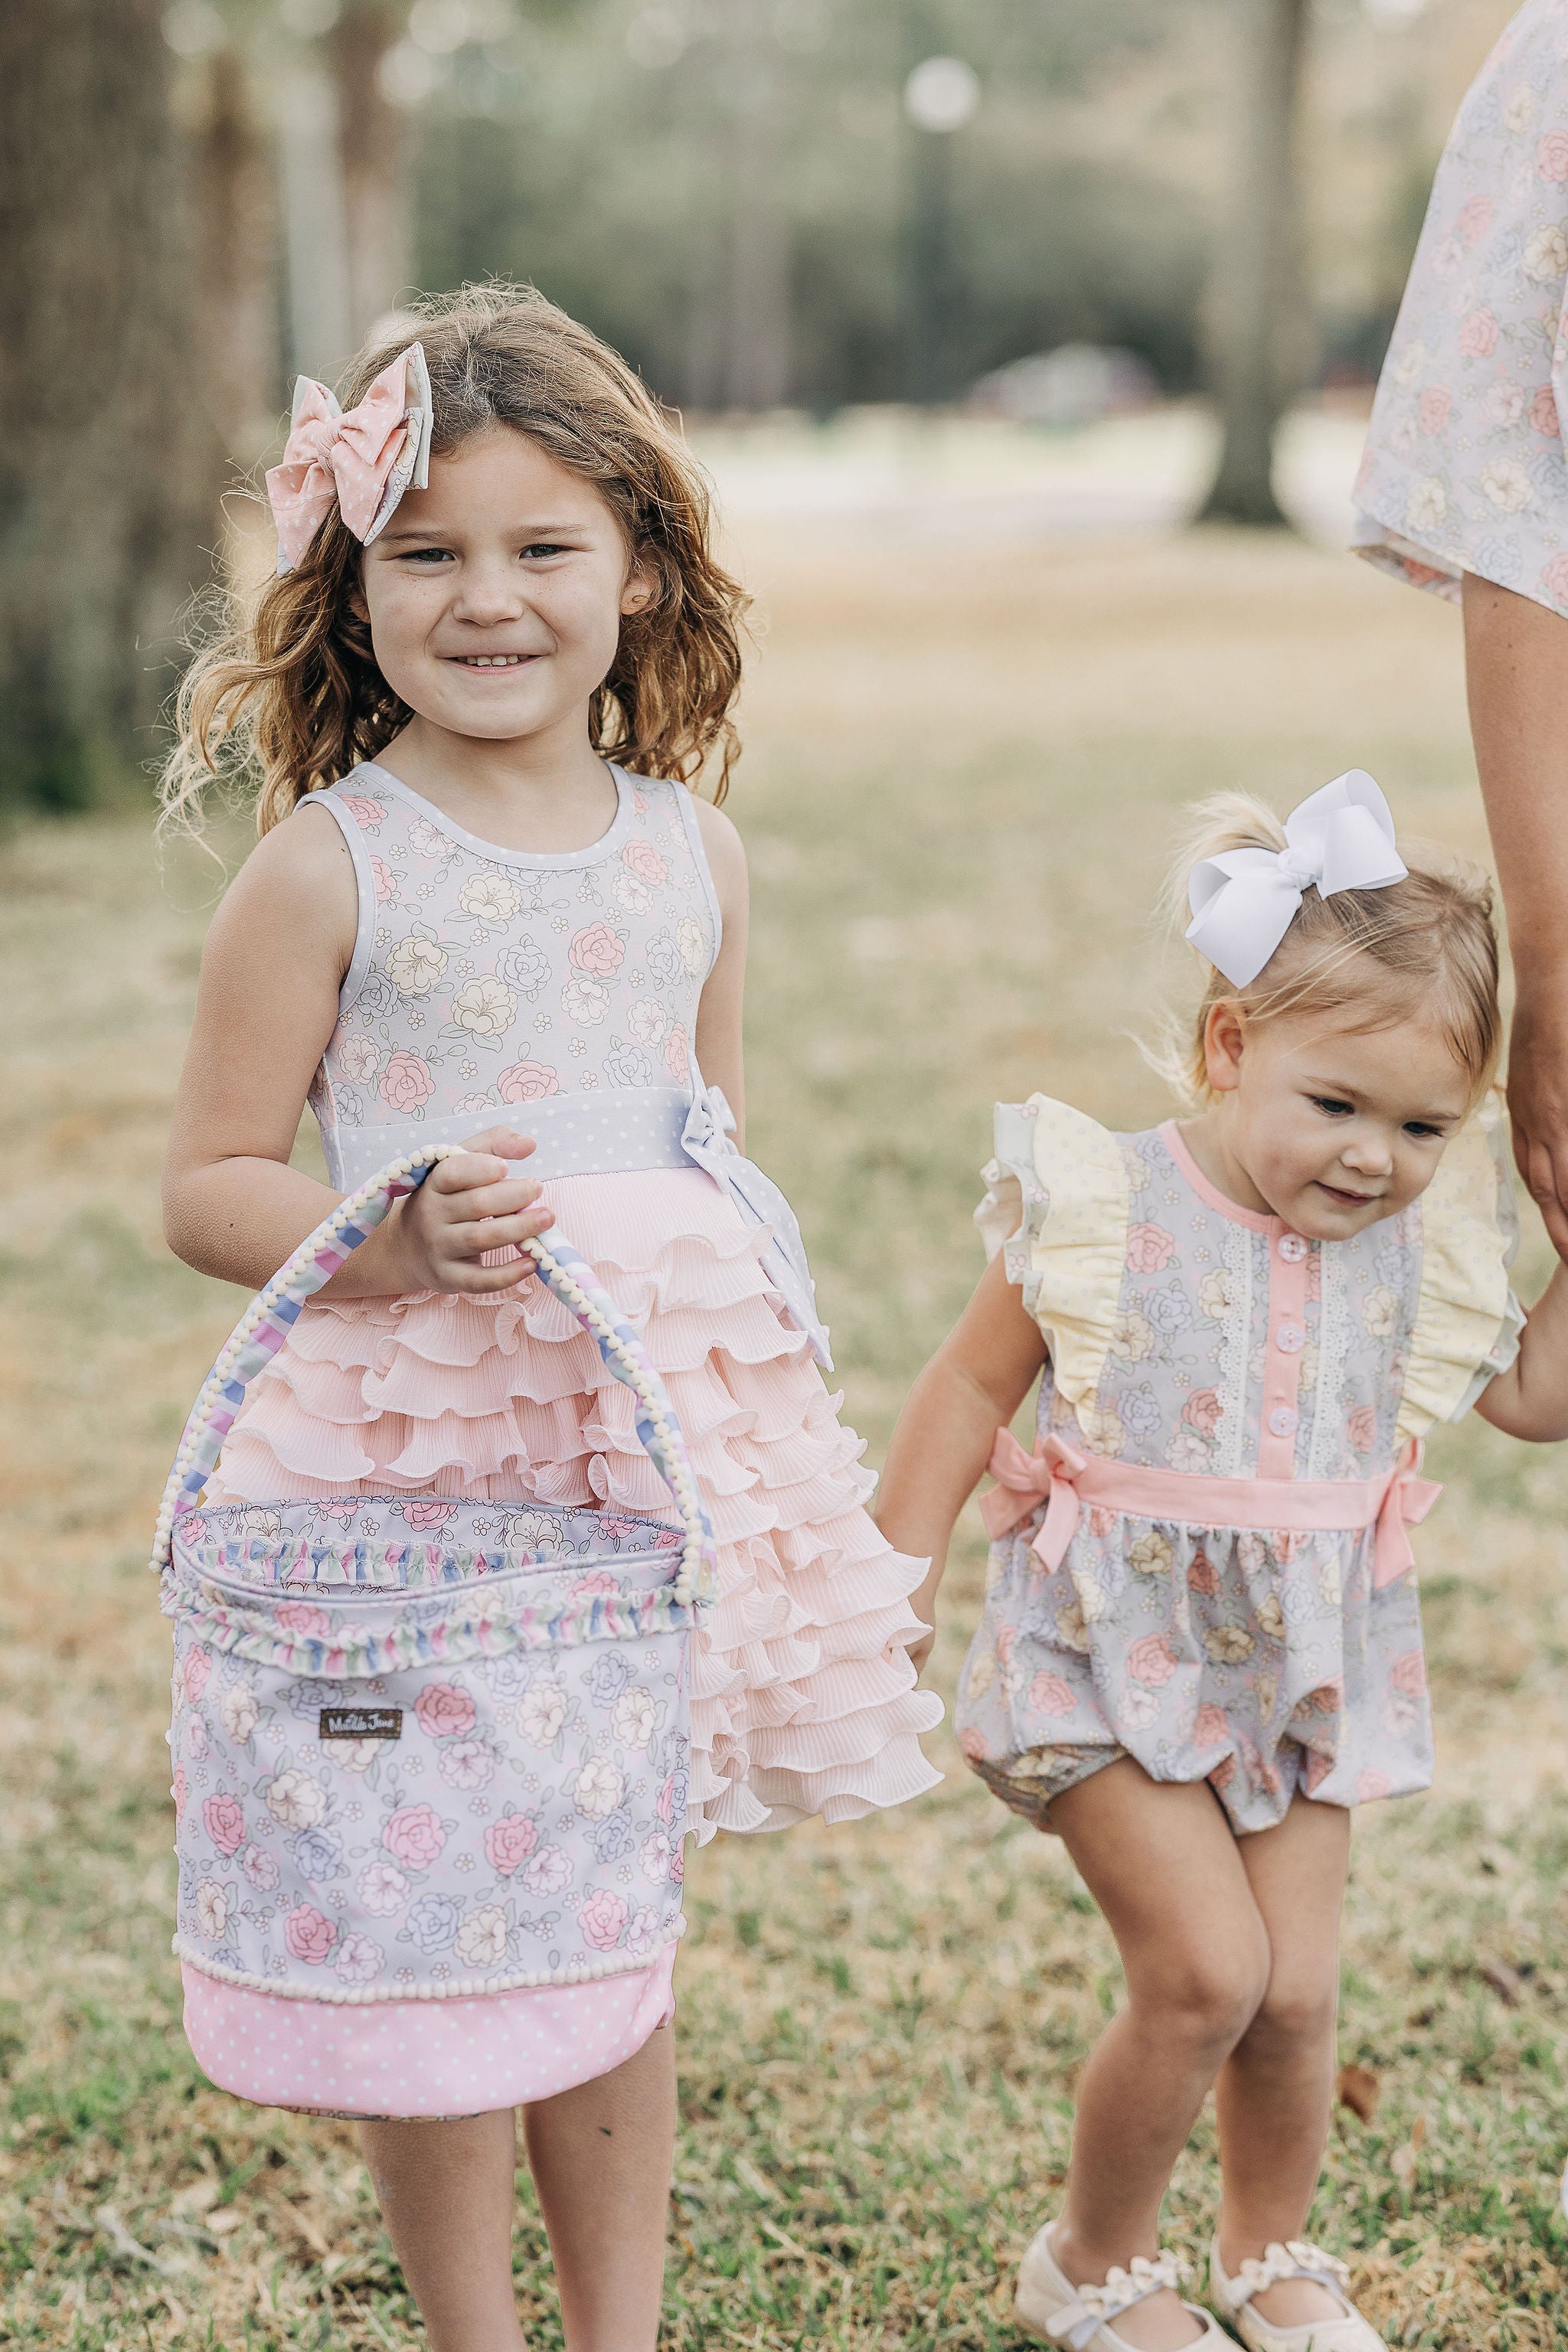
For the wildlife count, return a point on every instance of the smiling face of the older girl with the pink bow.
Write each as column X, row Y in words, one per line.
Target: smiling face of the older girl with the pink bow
column 495, row 596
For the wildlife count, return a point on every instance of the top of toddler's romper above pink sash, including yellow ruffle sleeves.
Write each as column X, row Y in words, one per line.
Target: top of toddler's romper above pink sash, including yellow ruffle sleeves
column 1191, row 1335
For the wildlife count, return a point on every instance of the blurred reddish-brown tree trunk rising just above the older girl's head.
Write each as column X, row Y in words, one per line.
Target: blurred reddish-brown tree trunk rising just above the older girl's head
column 370, row 154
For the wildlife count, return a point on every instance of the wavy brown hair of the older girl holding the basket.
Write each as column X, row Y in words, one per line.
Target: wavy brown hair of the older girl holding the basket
column 288, row 697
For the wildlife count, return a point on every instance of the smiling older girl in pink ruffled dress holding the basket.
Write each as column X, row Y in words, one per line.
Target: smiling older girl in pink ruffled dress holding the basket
column 485, row 900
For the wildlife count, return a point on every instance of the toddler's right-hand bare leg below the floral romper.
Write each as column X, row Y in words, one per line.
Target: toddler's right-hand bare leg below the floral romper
column 1275, row 2092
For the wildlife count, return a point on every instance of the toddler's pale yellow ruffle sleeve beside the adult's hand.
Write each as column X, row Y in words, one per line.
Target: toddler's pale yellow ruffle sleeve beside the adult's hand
column 1468, row 1321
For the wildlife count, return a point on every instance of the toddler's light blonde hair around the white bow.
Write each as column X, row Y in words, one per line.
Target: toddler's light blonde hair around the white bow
column 1423, row 942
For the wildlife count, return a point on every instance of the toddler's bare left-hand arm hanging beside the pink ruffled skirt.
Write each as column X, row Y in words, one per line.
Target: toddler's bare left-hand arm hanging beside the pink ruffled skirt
column 972, row 1387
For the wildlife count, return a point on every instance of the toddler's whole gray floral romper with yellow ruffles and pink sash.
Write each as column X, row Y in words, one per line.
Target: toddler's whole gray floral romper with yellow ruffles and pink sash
column 1205, row 1565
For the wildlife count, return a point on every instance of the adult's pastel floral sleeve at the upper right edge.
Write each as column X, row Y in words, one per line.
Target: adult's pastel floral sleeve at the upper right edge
column 1466, row 467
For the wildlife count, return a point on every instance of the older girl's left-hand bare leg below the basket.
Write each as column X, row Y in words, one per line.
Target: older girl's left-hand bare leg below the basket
column 448, row 2203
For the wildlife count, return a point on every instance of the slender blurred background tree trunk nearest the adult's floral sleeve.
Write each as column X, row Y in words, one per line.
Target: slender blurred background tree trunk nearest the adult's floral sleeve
column 1257, row 305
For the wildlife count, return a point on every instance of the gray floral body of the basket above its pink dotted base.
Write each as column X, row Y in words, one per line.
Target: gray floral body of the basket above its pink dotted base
column 427, row 1793
